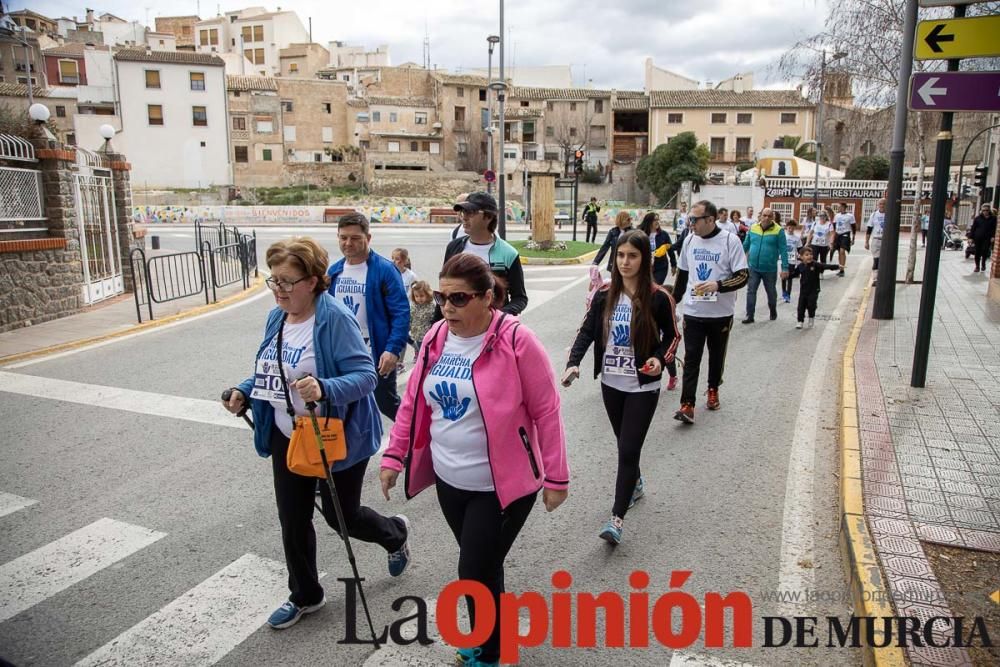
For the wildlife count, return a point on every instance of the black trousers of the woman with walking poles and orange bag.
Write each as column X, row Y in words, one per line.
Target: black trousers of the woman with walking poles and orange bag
column 295, row 495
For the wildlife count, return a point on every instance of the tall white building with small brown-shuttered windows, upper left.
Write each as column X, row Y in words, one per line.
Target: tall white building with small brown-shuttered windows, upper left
column 173, row 118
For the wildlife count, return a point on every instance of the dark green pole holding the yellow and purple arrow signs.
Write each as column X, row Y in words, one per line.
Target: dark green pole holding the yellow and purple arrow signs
column 932, row 258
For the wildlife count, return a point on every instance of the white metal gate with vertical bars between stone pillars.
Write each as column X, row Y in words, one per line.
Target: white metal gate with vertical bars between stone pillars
column 98, row 224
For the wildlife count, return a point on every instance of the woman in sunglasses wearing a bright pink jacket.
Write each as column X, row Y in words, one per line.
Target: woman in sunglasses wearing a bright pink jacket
column 481, row 422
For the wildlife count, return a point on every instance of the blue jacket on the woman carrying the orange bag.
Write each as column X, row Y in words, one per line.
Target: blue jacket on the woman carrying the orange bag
column 344, row 368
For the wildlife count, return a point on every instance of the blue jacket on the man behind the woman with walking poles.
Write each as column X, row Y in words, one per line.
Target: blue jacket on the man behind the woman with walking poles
column 385, row 302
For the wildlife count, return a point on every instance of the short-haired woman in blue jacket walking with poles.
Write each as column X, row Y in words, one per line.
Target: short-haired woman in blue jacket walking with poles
column 324, row 359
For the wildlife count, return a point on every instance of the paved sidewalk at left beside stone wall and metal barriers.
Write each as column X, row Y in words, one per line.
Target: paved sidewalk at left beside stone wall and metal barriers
column 114, row 317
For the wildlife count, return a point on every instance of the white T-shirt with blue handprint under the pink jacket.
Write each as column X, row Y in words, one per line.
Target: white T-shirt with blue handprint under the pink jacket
column 458, row 432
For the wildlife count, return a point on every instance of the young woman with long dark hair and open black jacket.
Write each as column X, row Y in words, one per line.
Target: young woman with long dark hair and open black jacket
column 632, row 325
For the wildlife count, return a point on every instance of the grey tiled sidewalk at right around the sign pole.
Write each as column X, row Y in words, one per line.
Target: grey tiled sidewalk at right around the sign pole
column 931, row 457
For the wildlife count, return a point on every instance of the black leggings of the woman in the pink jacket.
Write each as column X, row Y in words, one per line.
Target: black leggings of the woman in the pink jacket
column 485, row 533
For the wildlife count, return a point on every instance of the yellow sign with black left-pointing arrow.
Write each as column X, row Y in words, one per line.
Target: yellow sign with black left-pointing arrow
column 958, row 38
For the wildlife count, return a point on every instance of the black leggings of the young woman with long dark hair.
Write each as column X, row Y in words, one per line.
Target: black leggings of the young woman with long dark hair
column 631, row 414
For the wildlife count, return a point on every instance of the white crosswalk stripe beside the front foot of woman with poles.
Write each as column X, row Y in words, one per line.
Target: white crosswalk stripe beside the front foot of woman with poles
column 203, row 625
